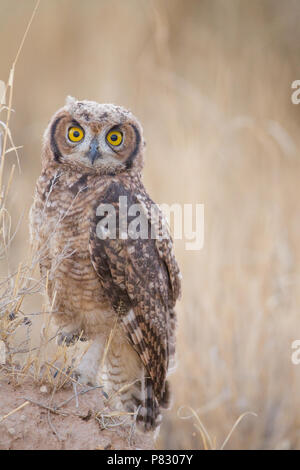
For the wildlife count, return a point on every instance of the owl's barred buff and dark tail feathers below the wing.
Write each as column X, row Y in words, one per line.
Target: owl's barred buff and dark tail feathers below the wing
column 128, row 381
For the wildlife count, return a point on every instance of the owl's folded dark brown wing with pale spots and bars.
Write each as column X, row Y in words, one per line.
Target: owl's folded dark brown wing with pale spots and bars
column 142, row 280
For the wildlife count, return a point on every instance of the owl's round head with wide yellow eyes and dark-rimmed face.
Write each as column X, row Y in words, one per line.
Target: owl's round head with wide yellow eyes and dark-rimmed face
column 92, row 137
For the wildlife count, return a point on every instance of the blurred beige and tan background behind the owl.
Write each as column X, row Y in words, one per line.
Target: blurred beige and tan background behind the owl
column 211, row 82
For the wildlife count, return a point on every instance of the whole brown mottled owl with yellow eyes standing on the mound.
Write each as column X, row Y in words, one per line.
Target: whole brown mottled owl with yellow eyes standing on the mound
column 119, row 290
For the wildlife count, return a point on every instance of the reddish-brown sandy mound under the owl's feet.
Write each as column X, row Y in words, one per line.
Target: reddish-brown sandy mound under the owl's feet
column 73, row 426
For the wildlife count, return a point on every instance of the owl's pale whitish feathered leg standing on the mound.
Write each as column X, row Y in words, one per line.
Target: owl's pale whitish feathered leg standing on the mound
column 86, row 372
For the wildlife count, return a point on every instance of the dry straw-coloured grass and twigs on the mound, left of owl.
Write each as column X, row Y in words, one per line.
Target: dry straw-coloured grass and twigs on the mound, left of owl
column 42, row 363
